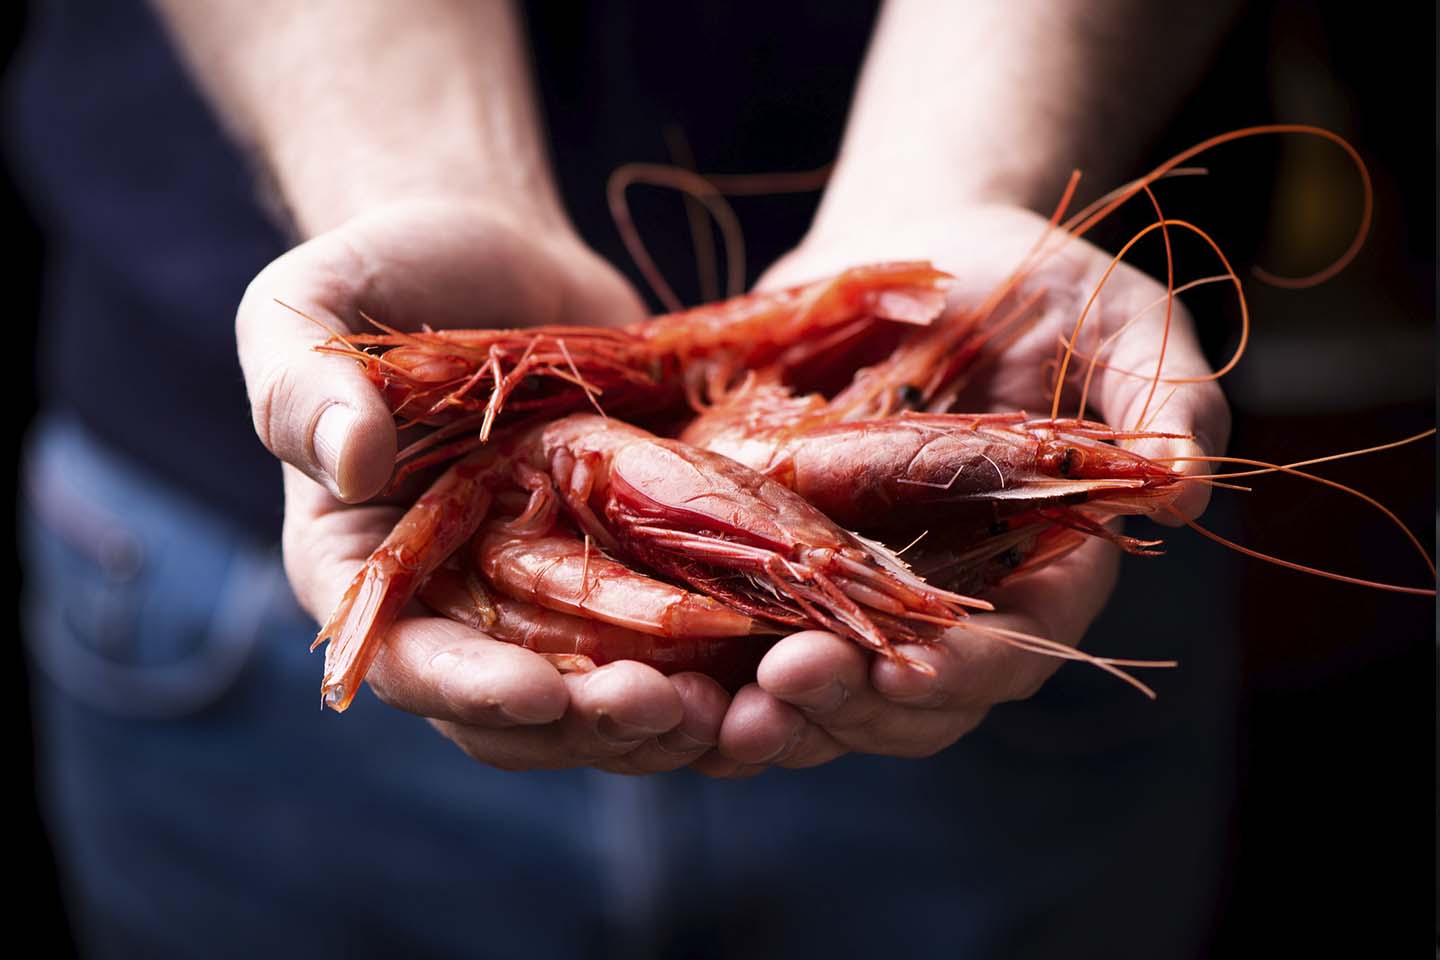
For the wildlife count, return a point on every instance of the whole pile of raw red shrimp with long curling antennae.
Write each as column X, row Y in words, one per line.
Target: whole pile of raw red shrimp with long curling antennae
column 688, row 490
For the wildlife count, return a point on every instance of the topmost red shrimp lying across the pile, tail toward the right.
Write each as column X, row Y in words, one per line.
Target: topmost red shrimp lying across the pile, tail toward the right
column 464, row 381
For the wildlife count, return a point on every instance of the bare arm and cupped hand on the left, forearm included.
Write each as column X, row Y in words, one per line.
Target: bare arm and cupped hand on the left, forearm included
column 405, row 148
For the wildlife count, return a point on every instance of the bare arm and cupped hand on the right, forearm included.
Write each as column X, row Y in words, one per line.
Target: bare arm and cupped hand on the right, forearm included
column 951, row 155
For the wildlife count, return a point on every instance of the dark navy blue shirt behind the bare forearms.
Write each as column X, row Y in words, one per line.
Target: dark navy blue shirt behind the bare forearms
column 153, row 222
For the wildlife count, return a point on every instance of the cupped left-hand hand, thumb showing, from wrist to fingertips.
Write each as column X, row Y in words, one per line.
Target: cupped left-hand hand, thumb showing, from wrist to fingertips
column 446, row 266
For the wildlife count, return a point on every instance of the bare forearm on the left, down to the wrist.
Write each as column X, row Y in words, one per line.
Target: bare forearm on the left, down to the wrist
column 351, row 104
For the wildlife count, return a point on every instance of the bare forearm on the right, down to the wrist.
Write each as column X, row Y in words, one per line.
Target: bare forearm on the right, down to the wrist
column 996, row 101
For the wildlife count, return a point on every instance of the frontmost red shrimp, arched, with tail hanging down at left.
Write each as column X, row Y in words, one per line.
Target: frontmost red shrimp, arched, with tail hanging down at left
column 689, row 515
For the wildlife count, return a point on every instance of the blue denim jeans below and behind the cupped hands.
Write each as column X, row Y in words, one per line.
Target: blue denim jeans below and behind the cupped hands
column 202, row 804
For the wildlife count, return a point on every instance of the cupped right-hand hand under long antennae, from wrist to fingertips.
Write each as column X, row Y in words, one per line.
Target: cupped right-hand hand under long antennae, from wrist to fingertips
column 817, row 696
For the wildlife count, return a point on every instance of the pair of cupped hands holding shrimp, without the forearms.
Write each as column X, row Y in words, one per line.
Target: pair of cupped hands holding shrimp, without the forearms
column 816, row 697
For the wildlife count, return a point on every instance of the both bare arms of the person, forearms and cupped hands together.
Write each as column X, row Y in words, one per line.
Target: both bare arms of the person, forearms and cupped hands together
column 405, row 148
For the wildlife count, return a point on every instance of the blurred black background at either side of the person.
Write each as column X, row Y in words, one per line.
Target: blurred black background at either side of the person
column 1330, row 847
